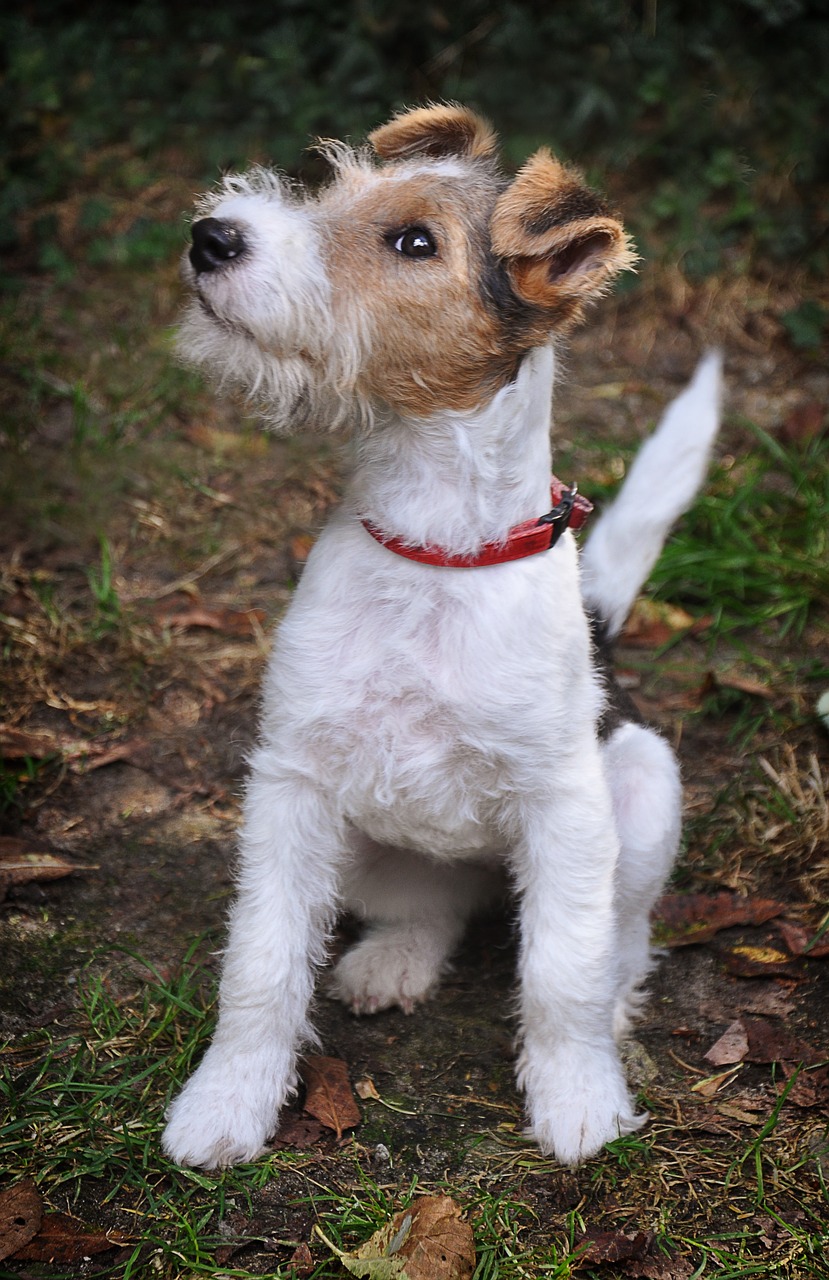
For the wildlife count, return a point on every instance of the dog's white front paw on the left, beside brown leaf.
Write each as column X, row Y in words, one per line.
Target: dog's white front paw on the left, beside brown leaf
column 223, row 1117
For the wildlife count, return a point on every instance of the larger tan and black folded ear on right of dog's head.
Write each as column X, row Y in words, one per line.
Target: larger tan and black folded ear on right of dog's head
column 558, row 241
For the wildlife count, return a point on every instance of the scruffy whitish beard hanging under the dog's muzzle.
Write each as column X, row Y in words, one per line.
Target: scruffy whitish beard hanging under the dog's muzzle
column 288, row 391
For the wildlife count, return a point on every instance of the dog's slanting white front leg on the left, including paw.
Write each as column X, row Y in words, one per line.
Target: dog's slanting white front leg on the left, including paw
column 291, row 849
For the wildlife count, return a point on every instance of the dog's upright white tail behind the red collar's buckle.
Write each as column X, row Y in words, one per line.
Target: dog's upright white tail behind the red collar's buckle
column 668, row 472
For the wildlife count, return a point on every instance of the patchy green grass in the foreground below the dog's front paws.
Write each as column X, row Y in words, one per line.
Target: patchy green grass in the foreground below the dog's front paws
column 84, row 1108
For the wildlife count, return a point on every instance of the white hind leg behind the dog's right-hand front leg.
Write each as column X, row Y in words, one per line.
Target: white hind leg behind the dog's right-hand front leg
column 644, row 779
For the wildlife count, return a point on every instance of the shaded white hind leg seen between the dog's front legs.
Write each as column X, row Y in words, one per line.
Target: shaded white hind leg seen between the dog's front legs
column 416, row 911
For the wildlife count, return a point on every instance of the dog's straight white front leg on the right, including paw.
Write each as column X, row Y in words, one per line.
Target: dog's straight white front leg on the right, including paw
column 565, row 861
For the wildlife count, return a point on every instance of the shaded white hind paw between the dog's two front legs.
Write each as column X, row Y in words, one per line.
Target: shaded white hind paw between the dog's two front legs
column 390, row 967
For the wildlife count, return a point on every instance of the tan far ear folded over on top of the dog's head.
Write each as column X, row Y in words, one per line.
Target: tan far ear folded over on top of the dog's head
column 434, row 131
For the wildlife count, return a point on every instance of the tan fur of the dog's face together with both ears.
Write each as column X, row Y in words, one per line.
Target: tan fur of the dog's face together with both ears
column 514, row 264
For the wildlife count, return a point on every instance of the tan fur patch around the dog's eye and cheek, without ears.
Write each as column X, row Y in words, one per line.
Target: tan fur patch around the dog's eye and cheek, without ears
column 434, row 342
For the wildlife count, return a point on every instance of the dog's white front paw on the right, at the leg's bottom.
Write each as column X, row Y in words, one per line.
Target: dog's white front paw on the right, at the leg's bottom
column 579, row 1104
